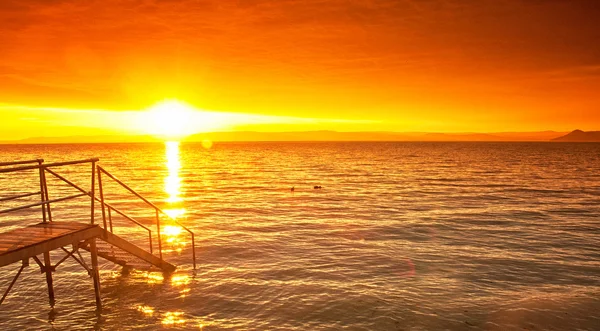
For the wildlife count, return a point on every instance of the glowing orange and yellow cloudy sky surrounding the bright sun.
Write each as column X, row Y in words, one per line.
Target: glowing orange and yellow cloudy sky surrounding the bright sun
column 77, row 67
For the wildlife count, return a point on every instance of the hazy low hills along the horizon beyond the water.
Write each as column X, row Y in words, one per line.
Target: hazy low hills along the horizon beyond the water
column 253, row 136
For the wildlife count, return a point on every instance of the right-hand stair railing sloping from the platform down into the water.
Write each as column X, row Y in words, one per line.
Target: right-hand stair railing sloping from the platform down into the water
column 158, row 211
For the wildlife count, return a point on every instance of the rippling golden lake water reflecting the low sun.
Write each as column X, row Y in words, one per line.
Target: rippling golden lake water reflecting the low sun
column 402, row 236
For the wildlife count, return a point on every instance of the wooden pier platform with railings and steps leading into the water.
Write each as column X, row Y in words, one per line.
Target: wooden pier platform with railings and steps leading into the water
column 73, row 236
